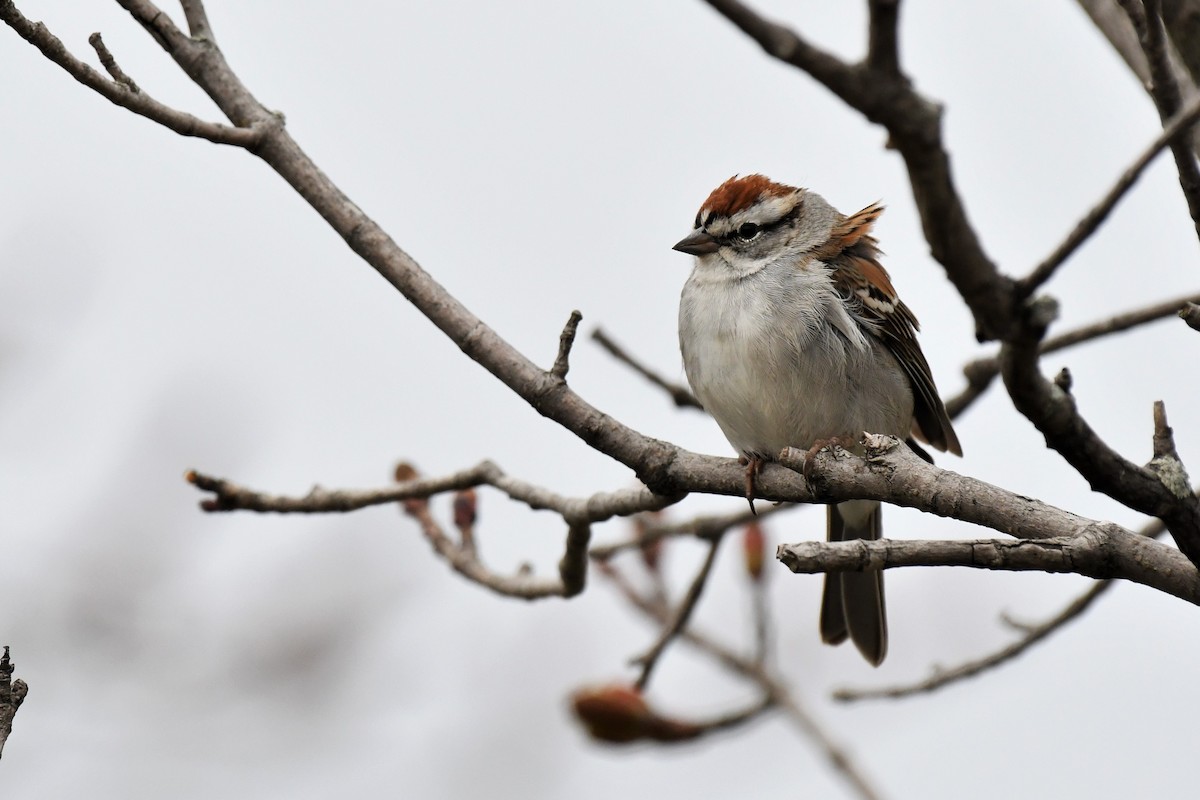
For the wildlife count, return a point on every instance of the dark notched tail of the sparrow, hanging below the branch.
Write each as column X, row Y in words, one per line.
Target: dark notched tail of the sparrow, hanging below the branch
column 853, row 606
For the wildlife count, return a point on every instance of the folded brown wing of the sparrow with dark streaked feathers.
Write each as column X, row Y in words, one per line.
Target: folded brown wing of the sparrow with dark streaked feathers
column 854, row 255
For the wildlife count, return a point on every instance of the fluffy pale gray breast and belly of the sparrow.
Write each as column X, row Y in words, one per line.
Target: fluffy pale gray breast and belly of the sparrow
column 773, row 374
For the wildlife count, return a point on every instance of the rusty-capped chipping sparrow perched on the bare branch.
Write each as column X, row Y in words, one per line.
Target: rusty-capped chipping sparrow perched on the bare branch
column 793, row 336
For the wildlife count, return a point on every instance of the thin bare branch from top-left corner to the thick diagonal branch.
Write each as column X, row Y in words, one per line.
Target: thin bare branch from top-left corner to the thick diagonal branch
column 122, row 94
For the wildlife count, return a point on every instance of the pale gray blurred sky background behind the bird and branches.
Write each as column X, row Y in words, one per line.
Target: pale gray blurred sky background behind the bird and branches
column 169, row 304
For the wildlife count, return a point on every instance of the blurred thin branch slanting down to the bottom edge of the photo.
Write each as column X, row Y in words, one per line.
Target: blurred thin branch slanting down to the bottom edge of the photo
column 775, row 689
